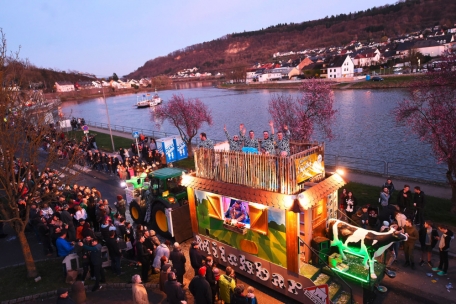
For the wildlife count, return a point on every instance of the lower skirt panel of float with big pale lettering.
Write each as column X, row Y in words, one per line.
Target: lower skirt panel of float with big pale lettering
column 257, row 269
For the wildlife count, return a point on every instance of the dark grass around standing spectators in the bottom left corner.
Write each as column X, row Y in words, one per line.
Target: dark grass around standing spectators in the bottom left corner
column 15, row 284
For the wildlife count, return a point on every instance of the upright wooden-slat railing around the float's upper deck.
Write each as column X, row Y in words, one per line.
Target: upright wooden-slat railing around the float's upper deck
column 260, row 171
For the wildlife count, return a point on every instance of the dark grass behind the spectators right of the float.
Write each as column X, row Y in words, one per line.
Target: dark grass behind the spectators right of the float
column 436, row 209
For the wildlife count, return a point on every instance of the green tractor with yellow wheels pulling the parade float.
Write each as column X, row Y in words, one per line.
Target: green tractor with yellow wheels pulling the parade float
column 160, row 202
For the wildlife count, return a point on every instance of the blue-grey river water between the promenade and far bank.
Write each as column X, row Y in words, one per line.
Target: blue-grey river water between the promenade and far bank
column 366, row 134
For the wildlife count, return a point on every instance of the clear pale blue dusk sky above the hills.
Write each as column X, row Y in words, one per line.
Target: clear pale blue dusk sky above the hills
column 103, row 37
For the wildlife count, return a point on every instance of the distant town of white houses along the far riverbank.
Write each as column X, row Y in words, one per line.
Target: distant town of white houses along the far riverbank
column 416, row 52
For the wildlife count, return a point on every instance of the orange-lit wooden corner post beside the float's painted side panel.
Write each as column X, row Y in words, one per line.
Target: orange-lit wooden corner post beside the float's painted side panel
column 292, row 225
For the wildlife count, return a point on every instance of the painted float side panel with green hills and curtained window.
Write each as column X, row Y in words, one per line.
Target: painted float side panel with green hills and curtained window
column 247, row 226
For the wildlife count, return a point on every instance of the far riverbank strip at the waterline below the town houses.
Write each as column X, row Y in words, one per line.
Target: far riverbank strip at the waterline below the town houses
column 389, row 82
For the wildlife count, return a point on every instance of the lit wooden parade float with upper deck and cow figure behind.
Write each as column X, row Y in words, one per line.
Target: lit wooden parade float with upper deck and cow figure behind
column 268, row 218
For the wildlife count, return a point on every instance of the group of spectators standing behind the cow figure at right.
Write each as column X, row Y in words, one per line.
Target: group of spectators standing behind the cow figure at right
column 405, row 214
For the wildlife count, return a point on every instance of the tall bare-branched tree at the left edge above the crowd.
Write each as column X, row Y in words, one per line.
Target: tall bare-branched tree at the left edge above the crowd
column 23, row 130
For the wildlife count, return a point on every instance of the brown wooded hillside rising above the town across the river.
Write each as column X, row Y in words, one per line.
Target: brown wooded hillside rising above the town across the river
column 247, row 48
